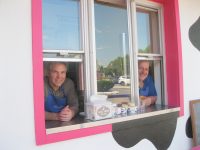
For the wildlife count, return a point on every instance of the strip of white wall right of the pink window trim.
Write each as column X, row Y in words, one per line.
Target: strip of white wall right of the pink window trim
column 189, row 13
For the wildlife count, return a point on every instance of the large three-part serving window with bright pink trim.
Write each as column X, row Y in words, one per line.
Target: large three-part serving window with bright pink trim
column 73, row 31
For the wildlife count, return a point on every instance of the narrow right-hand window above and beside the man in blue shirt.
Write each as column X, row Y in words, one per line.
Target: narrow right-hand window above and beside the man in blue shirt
column 149, row 47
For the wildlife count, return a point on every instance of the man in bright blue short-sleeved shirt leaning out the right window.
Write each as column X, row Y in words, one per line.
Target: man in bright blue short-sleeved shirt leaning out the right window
column 147, row 90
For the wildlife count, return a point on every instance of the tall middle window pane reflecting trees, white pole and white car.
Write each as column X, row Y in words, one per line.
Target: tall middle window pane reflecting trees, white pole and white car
column 112, row 50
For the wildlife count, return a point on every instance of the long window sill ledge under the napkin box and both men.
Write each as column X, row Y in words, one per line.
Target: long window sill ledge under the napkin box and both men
column 80, row 122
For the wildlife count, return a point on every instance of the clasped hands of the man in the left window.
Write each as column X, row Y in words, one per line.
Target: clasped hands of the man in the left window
column 66, row 114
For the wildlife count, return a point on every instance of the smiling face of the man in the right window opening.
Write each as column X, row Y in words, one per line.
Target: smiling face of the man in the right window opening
column 143, row 70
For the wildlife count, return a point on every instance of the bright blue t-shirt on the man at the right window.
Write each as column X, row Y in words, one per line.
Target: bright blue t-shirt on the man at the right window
column 149, row 88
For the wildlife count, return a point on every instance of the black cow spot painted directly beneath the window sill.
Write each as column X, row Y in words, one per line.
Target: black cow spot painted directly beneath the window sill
column 158, row 129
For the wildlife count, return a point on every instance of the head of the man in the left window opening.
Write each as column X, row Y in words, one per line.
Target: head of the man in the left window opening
column 57, row 74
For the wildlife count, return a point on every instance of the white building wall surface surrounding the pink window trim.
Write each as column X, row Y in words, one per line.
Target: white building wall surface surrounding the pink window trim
column 16, row 90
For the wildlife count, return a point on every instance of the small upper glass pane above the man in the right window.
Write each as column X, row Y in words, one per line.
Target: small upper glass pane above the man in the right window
column 148, row 37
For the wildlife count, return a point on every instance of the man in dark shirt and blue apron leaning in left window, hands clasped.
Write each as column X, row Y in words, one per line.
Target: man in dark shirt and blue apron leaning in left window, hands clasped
column 61, row 102
